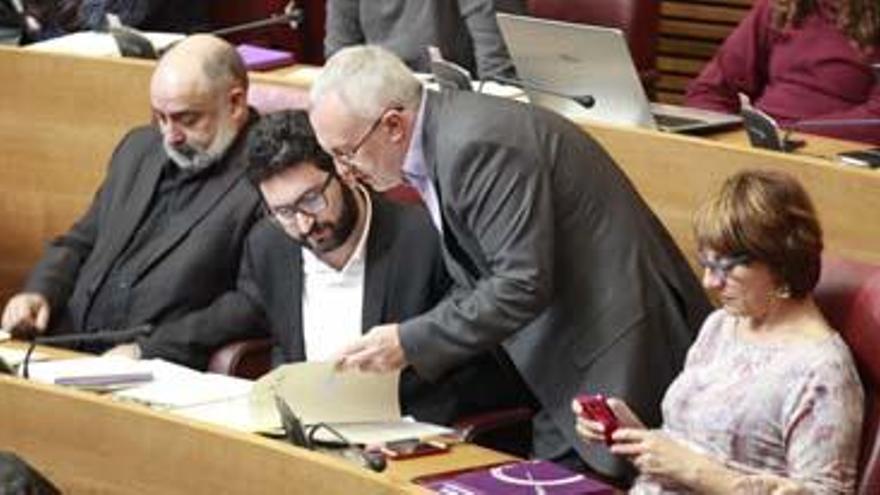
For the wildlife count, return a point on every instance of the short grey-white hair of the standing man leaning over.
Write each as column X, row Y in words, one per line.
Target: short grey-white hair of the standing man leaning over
column 368, row 79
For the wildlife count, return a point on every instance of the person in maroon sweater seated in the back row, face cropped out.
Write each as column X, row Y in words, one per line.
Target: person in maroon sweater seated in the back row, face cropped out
column 800, row 61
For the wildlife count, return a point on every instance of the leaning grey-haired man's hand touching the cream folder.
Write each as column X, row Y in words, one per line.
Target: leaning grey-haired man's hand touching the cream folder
column 378, row 351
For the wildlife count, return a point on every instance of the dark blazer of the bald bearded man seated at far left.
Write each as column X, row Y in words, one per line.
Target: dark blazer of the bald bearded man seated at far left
column 195, row 261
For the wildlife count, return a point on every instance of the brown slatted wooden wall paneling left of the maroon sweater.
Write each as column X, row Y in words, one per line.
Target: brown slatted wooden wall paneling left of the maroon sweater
column 690, row 33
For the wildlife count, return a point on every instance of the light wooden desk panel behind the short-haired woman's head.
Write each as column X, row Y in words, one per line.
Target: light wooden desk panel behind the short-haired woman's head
column 676, row 173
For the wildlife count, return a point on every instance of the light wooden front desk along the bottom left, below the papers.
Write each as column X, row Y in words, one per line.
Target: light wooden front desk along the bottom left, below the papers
column 89, row 443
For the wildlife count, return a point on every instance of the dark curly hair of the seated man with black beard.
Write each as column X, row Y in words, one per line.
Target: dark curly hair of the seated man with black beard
column 283, row 140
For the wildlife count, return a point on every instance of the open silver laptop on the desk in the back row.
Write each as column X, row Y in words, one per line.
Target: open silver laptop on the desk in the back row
column 582, row 59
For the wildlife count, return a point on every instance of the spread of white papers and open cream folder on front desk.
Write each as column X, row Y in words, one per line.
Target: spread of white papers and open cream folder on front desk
column 362, row 407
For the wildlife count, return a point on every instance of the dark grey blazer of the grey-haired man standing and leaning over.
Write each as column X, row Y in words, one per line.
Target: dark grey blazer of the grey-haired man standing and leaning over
column 556, row 257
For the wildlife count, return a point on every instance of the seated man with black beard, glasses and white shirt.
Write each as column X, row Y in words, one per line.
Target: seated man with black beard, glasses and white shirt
column 367, row 260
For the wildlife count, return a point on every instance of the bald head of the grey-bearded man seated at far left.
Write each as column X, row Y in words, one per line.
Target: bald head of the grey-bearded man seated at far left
column 199, row 99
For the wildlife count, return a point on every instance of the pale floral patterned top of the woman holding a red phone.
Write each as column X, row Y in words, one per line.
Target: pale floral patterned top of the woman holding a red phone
column 791, row 409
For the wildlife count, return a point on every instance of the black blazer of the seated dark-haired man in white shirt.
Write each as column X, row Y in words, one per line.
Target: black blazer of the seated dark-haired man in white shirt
column 404, row 277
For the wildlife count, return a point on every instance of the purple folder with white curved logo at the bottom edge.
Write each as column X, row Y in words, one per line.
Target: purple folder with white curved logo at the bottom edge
column 527, row 477
